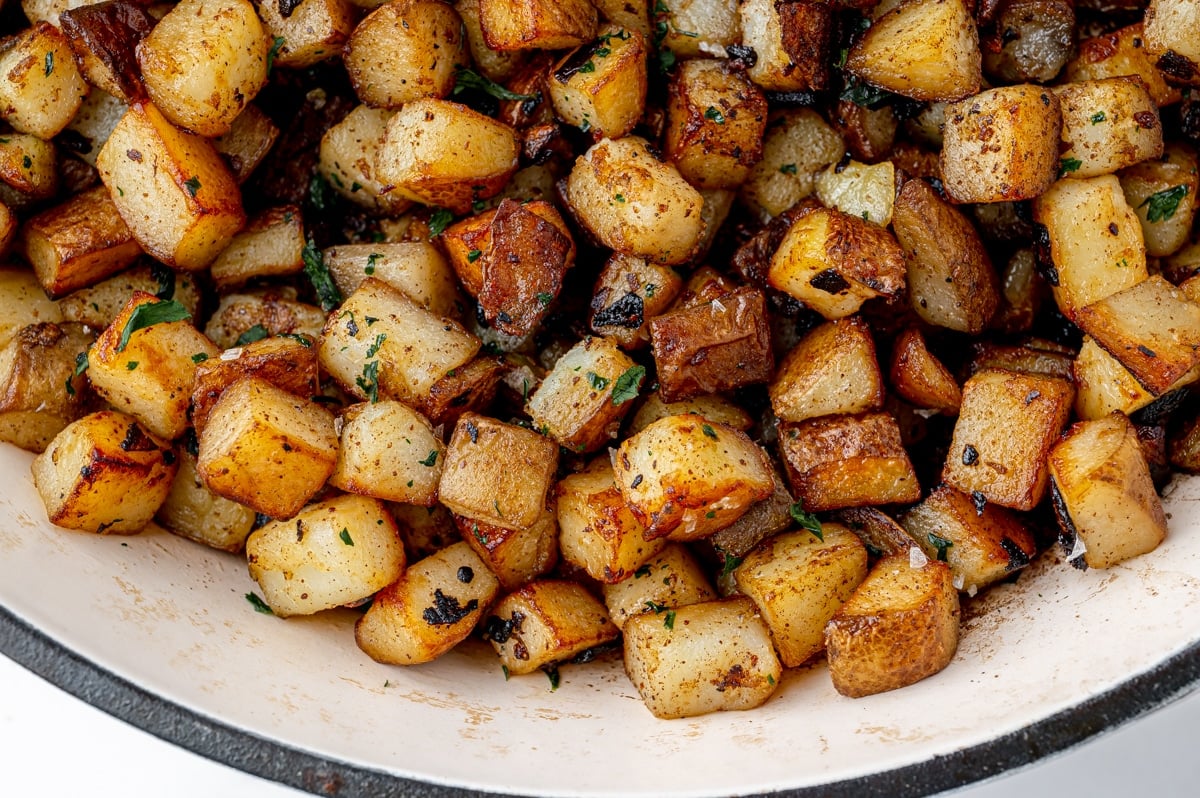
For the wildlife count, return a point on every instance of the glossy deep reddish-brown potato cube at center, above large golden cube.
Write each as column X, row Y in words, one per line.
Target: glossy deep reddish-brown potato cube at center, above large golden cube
column 715, row 346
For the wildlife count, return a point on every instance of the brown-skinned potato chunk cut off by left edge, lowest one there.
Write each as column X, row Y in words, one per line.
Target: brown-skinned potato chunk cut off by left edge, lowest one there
column 40, row 393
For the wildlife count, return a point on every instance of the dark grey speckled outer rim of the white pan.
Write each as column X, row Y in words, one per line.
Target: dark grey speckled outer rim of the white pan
column 262, row 758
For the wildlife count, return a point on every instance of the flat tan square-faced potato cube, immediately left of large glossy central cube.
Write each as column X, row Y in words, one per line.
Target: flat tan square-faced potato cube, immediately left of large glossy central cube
column 497, row 473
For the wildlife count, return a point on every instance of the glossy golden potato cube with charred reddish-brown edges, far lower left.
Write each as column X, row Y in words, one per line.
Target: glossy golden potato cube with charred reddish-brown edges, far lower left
column 104, row 473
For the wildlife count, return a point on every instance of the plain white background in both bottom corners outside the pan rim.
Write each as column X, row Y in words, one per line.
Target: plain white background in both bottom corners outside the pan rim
column 52, row 745
